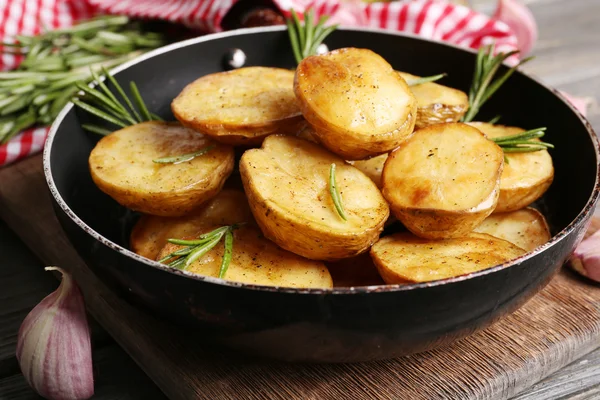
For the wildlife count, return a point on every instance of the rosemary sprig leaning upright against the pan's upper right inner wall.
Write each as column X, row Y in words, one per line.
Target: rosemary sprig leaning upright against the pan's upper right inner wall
column 484, row 85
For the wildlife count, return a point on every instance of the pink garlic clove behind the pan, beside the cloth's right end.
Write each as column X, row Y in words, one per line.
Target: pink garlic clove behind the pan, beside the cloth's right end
column 521, row 22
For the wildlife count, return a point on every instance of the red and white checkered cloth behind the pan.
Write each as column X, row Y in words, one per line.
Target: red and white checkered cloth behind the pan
column 435, row 19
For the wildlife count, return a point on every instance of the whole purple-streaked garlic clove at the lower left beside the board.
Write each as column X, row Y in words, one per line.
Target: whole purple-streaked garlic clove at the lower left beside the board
column 54, row 348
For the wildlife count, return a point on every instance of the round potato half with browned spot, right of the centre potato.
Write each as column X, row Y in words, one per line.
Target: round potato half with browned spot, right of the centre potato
column 444, row 180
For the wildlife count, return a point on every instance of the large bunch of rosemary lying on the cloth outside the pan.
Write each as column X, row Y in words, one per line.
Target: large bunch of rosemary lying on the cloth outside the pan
column 56, row 60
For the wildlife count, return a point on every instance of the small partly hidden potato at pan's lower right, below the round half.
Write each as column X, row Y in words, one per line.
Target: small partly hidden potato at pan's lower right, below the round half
column 526, row 228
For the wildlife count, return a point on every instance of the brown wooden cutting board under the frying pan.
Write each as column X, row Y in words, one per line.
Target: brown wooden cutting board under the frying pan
column 559, row 325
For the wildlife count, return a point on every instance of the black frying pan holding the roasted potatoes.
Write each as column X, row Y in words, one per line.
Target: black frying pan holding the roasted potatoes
column 343, row 324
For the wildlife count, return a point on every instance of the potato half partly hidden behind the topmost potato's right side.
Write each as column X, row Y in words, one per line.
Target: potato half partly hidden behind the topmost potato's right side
column 436, row 103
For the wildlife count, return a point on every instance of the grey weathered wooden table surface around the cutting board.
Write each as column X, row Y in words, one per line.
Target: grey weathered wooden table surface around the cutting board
column 568, row 57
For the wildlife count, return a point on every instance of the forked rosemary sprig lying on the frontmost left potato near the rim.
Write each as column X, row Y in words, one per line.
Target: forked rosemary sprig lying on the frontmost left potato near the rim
column 194, row 249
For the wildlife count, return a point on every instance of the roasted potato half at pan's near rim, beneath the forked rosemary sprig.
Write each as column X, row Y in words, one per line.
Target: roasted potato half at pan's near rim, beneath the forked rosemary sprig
column 258, row 261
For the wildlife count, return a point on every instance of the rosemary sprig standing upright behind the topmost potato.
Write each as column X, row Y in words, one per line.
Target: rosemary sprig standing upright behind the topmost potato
column 306, row 38
